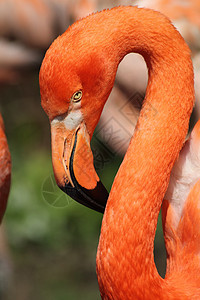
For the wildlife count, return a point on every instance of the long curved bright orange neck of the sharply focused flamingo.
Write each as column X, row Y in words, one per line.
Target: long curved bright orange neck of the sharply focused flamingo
column 125, row 264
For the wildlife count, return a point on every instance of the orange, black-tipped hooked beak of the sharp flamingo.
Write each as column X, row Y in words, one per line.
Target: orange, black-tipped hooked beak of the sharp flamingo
column 73, row 166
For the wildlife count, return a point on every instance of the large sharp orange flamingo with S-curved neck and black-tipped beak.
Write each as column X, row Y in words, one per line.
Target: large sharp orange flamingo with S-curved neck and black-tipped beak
column 76, row 78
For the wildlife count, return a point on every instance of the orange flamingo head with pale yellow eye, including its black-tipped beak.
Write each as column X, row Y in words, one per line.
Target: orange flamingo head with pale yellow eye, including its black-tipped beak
column 75, row 82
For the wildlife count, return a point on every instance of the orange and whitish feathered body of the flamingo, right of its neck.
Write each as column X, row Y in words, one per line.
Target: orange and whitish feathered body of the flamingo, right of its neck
column 180, row 212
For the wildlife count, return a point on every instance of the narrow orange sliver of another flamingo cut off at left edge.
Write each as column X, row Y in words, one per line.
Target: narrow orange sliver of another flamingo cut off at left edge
column 5, row 170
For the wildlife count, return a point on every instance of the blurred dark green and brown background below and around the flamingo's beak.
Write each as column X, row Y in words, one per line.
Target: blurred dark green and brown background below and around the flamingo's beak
column 52, row 240
